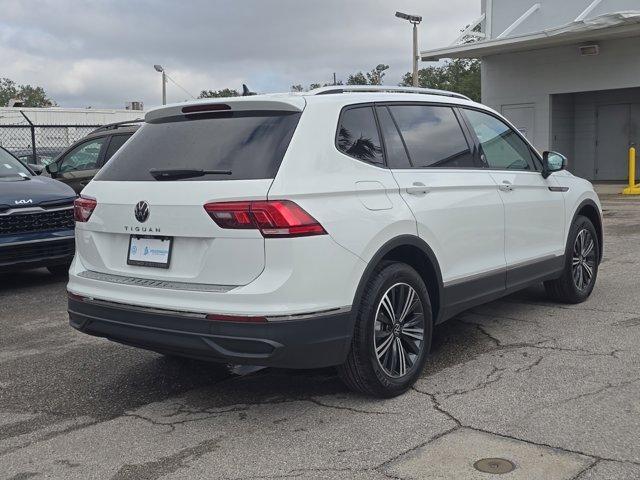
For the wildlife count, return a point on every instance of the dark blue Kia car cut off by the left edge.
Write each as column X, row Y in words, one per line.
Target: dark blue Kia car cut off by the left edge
column 36, row 219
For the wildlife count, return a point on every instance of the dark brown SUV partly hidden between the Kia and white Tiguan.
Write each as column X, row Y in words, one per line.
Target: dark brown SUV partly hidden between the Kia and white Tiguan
column 78, row 164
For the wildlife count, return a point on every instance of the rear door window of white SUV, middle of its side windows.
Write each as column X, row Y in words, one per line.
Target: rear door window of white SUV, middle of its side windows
column 433, row 136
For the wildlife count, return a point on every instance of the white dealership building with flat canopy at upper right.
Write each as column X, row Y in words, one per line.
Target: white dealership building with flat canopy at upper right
column 565, row 72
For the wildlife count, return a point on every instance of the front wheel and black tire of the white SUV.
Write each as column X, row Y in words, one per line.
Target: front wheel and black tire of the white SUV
column 570, row 287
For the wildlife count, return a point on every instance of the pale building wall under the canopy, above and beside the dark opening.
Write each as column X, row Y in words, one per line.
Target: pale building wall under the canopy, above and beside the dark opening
column 531, row 77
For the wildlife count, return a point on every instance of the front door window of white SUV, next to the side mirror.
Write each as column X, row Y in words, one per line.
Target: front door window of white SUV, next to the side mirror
column 502, row 148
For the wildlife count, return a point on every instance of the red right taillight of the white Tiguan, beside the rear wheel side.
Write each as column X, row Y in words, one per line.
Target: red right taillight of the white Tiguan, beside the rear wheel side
column 274, row 218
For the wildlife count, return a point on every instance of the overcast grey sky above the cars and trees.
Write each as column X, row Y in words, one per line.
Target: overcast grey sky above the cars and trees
column 101, row 53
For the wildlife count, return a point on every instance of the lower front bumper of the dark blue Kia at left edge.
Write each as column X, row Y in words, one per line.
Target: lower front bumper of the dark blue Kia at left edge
column 43, row 251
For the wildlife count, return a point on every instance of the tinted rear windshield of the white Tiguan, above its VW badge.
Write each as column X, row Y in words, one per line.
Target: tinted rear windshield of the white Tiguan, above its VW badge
column 250, row 144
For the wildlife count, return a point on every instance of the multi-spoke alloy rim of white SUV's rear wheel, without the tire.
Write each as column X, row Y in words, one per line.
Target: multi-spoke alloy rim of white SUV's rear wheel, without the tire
column 399, row 330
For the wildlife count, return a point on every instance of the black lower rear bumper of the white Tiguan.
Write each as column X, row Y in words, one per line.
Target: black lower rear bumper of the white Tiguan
column 319, row 341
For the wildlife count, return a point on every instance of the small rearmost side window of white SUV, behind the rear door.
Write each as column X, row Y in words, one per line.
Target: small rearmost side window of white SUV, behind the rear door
column 358, row 135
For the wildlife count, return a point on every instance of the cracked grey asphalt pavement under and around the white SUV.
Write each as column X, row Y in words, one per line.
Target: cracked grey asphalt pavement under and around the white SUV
column 551, row 391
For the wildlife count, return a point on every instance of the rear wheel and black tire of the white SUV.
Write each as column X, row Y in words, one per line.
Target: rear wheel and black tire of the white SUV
column 362, row 370
